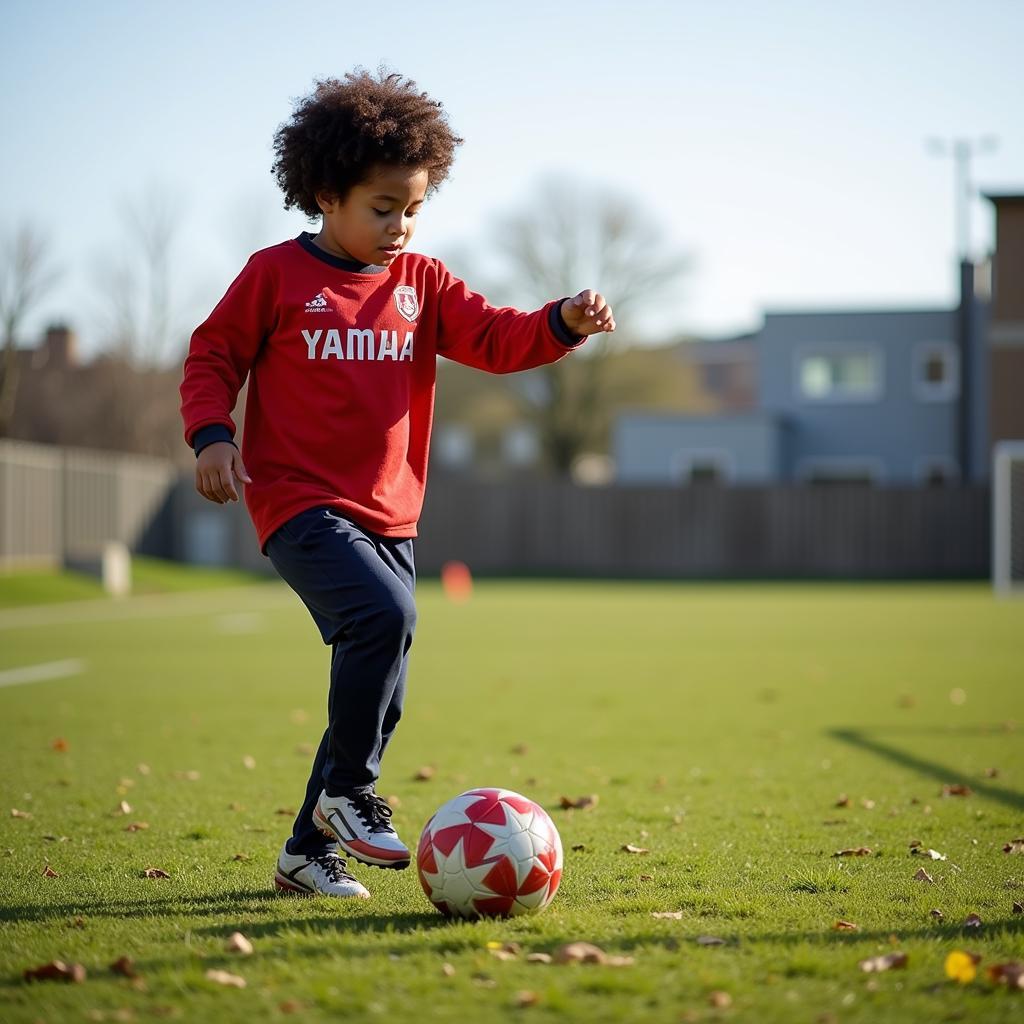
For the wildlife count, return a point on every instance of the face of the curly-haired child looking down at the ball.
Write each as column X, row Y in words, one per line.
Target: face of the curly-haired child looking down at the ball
column 376, row 221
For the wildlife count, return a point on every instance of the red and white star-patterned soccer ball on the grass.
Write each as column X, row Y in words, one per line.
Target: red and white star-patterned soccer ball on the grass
column 490, row 854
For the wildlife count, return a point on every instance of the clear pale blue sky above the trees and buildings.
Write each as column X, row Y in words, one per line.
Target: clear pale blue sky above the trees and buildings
column 782, row 144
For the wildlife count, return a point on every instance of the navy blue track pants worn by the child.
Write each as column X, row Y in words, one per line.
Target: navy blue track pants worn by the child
column 359, row 588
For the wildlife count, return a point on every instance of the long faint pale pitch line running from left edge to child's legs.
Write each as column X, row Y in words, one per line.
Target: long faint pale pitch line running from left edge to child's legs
column 202, row 604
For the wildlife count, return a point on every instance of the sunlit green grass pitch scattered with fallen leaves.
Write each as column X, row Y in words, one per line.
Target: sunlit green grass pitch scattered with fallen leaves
column 719, row 726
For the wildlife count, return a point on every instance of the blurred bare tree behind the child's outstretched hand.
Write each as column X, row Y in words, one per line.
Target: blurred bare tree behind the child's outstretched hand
column 570, row 237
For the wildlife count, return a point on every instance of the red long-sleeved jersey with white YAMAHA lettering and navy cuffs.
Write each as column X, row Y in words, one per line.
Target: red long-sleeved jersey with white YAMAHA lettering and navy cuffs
column 342, row 367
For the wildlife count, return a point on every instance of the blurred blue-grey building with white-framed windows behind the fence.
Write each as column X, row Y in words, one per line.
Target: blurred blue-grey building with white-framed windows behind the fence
column 864, row 397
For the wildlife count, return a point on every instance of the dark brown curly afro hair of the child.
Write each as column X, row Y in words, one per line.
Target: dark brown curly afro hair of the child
column 344, row 130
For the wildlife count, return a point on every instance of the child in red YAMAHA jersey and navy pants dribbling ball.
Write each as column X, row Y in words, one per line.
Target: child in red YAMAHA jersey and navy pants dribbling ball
column 339, row 334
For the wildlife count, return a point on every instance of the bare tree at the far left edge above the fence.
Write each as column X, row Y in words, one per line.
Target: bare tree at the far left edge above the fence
column 25, row 274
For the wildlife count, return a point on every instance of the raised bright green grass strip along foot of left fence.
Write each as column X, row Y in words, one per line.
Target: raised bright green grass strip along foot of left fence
column 150, row 576
